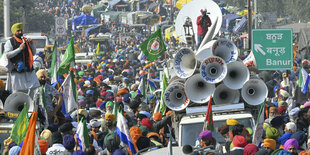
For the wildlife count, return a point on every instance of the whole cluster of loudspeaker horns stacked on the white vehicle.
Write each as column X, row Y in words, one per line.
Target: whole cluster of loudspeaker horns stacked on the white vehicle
column 218, row 75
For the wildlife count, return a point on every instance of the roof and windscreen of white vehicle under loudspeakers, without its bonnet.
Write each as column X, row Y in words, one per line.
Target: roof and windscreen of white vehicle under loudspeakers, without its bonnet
column 192, row 123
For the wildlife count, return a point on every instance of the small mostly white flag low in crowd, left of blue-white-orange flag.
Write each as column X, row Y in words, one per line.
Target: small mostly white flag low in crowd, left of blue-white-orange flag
column 82, row 134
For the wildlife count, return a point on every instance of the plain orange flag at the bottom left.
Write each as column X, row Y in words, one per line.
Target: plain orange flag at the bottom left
column 28, row 146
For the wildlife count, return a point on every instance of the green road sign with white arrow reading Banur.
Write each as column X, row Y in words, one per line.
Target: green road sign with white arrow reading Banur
column 272, row 48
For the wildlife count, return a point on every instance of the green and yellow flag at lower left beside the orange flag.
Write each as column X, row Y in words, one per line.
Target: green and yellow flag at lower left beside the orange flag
column 20, row 126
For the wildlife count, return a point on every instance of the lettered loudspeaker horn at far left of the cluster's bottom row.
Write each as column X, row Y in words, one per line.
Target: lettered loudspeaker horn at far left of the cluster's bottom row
column 175, row 97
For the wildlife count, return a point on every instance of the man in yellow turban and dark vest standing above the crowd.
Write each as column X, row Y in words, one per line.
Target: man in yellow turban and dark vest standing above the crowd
column 21, row 76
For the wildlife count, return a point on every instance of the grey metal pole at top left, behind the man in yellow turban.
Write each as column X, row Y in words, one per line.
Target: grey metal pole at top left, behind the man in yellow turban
column 6, row 14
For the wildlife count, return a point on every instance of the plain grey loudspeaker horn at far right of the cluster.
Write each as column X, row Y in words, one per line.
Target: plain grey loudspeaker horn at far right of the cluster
column 254, row 91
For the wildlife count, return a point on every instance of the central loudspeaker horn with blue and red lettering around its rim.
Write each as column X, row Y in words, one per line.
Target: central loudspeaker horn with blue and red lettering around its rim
column 213, row 69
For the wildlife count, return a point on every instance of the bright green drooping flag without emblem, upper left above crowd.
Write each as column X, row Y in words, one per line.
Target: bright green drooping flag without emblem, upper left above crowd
column 67, row 59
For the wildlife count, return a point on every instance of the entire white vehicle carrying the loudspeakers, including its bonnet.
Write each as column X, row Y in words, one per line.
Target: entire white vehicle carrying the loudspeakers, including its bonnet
column 188, row 126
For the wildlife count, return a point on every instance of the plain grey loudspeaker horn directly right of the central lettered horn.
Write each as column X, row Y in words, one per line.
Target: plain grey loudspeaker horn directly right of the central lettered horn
column 237, row 75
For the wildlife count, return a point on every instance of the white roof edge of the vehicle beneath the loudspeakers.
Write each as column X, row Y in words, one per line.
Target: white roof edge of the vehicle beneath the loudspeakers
column 190, row 119
